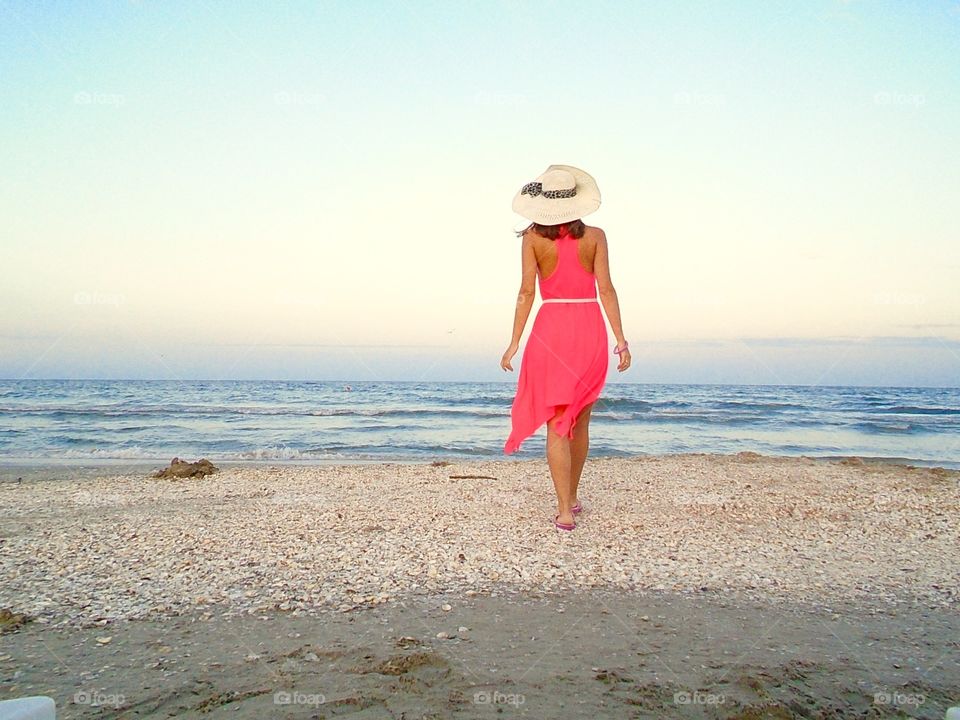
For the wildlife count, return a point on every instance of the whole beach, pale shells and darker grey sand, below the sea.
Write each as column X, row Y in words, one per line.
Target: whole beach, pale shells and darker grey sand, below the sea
column 695, row 585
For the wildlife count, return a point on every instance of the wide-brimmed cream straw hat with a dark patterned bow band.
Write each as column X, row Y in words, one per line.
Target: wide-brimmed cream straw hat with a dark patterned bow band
column 563, row 193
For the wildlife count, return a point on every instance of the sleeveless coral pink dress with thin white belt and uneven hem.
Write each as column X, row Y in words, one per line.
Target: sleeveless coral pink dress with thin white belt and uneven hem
column 565, row 359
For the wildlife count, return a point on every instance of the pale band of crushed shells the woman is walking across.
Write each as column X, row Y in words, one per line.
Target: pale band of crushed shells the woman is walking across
column 310, row 539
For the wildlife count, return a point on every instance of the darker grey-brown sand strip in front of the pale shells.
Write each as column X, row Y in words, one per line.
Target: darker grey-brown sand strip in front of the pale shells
column 592, row 654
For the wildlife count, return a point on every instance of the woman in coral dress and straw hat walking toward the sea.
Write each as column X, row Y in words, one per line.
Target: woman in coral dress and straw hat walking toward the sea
column 564, row 364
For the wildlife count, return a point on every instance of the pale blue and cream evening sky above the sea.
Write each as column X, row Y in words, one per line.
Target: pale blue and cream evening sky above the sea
column 213, row 190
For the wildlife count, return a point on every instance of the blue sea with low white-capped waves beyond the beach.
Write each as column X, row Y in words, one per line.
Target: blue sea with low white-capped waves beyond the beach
column 85, row 422
